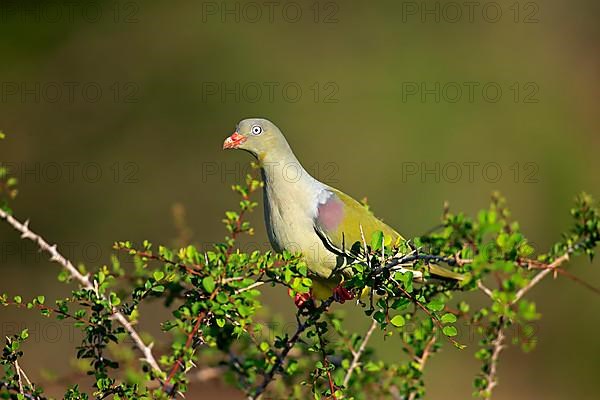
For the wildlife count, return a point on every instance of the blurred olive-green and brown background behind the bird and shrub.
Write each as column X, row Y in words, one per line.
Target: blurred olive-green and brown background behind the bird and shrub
column 116, row 112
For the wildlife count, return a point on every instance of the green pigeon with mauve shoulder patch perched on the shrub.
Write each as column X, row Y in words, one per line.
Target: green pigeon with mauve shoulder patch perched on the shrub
column 306, row 216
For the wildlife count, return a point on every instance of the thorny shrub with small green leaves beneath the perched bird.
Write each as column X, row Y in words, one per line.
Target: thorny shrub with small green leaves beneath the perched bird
column 217, row 324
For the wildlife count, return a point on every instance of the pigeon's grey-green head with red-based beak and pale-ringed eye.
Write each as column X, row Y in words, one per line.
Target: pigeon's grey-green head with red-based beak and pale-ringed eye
column 257, row 136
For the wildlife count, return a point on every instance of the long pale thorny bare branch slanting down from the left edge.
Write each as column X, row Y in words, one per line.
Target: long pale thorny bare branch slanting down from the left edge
column 84, row 281
